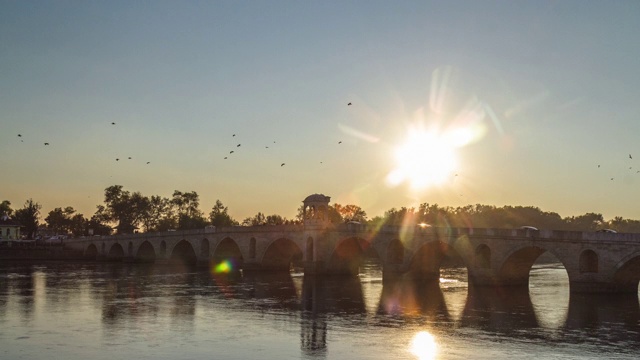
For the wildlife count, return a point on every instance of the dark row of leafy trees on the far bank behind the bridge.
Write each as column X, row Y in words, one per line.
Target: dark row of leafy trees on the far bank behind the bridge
column 126, row 212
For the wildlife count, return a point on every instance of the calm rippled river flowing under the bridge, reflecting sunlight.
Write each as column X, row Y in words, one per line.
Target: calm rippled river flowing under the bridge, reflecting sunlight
column 55, row 310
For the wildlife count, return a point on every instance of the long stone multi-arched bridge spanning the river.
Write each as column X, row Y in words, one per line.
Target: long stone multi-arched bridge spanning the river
column 595, row 262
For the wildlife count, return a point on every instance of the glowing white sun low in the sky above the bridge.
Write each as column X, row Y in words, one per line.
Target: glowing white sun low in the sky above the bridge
column 425, row 158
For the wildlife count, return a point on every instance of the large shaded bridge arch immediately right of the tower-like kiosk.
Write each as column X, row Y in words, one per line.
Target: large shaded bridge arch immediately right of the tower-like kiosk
column 348, row 254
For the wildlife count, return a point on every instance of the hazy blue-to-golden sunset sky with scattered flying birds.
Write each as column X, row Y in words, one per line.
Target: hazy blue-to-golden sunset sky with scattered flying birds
column 531, row 103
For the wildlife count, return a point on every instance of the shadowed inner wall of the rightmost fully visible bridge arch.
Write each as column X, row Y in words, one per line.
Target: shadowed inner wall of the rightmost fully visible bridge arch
column 516, row 265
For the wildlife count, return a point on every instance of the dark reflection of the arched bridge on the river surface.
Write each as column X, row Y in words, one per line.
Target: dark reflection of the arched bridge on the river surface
column 132, row 293
